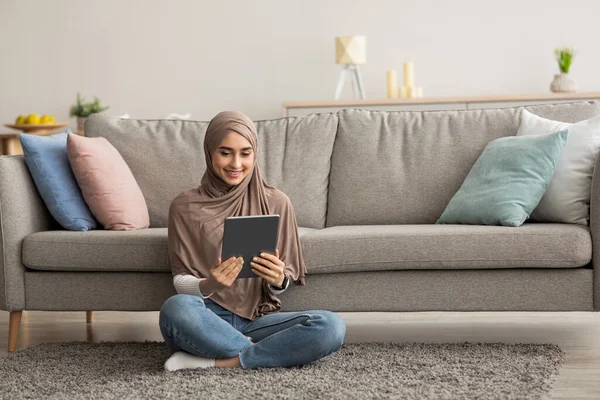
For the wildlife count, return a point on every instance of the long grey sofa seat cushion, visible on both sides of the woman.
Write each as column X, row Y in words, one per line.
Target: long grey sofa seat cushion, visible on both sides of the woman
column 336, row 249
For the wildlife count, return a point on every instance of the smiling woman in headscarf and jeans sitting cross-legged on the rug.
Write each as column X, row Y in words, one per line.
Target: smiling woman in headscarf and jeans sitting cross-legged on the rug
column 216, row 320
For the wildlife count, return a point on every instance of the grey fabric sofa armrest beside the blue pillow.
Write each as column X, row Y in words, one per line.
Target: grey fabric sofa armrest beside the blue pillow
column 22, row 212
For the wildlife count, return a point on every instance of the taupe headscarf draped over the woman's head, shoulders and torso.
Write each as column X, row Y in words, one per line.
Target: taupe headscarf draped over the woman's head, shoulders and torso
column 197, row 217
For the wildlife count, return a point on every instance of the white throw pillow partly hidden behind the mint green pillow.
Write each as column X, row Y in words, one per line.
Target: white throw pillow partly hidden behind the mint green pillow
column 567, row 199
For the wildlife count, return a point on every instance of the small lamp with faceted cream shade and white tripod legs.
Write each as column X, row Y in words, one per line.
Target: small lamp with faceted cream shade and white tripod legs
column 350, row 51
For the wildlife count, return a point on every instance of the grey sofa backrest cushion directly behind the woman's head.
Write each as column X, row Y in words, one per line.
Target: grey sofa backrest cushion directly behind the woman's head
column 166, row 157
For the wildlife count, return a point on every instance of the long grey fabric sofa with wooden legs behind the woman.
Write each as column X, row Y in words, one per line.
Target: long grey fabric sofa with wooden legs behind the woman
column 367, row 188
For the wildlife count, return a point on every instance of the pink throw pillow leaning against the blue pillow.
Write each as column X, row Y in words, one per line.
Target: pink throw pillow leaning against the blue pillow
column 107, row 184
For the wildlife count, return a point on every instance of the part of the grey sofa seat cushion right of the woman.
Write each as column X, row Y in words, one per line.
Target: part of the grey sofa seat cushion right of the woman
column 398, row 247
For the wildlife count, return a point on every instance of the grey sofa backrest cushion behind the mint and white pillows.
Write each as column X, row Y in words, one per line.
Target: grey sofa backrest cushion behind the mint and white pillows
column 403, row 167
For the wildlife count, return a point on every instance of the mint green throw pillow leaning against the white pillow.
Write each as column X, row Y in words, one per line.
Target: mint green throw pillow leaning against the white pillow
column 507, row 181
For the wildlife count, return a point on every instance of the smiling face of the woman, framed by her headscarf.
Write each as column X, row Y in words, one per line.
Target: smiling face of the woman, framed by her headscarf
column 233, row 159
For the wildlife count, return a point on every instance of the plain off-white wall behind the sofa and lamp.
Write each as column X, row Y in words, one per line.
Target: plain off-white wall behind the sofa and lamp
column 149, row 58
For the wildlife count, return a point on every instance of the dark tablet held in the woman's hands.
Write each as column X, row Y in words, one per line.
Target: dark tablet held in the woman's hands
column 248, row 236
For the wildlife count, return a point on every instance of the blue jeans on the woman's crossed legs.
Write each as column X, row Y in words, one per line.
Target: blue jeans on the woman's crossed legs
column 282, row 339
